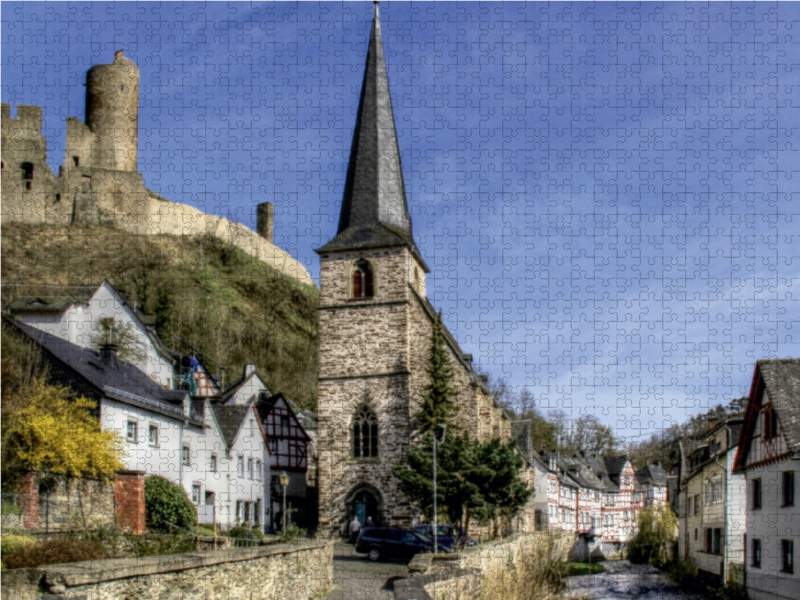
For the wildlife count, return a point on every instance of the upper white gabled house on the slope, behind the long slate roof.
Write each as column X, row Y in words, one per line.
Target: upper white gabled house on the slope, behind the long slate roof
column 82, row 319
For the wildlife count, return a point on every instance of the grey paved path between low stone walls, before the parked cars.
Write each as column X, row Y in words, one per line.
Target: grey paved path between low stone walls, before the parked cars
column 356, row 578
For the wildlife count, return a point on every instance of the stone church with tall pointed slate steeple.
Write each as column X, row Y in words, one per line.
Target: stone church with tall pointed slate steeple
column 375, row 328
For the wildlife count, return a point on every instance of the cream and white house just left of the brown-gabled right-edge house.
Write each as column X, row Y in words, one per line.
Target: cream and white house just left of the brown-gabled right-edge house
column 711, row 520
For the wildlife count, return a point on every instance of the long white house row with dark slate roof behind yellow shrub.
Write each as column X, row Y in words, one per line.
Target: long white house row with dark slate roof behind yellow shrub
column 217, row 454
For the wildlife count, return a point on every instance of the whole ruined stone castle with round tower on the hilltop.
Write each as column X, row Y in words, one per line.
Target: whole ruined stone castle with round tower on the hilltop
column 99, row 182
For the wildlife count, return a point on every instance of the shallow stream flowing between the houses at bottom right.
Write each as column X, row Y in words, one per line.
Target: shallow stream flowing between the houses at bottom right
column 625, row 581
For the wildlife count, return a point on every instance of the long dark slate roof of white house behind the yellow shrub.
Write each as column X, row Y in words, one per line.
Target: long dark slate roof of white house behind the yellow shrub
column 118, row 379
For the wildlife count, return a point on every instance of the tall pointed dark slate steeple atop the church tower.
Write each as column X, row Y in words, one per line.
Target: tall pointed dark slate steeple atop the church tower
column 374, row 207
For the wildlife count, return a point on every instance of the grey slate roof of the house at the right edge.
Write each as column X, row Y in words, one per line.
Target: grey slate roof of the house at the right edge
column 782, row 381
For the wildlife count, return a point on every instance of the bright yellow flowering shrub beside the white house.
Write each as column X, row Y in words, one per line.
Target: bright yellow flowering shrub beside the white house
column 54, row 432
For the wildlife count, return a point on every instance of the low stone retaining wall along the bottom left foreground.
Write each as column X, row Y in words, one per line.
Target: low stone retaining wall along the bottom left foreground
column 279, row 571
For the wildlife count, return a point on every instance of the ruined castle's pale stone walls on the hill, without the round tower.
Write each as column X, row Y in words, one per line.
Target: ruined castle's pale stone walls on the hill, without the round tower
column 88, row 194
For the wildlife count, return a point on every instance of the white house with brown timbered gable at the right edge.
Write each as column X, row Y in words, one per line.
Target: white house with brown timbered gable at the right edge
column 769, row 457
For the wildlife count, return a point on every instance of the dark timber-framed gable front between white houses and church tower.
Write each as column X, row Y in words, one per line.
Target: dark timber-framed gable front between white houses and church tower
column 287, row 439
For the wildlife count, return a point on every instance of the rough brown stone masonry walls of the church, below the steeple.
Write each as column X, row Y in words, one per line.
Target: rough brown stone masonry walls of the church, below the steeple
column 375, row 352
